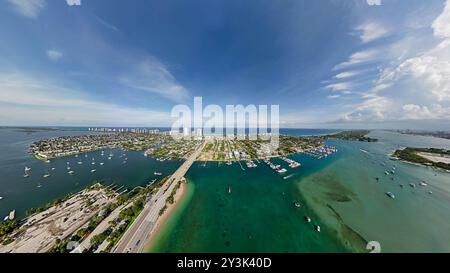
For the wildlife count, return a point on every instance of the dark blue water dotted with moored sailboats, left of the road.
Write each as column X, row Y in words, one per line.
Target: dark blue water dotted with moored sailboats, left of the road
column 21, row 193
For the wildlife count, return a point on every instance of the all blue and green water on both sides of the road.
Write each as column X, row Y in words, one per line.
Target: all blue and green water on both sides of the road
column 339, row 193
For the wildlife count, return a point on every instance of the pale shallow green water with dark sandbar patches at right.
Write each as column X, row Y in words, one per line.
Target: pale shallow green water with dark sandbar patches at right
column 414, row 222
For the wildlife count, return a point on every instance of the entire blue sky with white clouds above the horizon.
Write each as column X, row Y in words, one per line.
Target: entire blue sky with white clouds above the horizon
column 328, row 64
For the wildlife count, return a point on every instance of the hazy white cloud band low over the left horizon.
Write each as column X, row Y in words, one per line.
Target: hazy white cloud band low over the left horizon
column 35, row 102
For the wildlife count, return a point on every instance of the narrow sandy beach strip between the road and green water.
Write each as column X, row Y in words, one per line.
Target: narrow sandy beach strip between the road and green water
column 163, row 219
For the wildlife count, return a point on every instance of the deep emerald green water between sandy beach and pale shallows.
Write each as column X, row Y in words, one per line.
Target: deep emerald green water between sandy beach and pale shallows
column 257, row 216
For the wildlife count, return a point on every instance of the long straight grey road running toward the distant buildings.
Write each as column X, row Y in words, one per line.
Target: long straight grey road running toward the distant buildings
column 135, row 237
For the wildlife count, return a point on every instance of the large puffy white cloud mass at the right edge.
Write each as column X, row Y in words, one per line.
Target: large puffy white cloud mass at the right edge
column 415, row 86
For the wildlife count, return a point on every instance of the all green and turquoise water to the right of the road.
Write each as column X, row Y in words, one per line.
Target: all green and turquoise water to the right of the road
column 340, row 193
